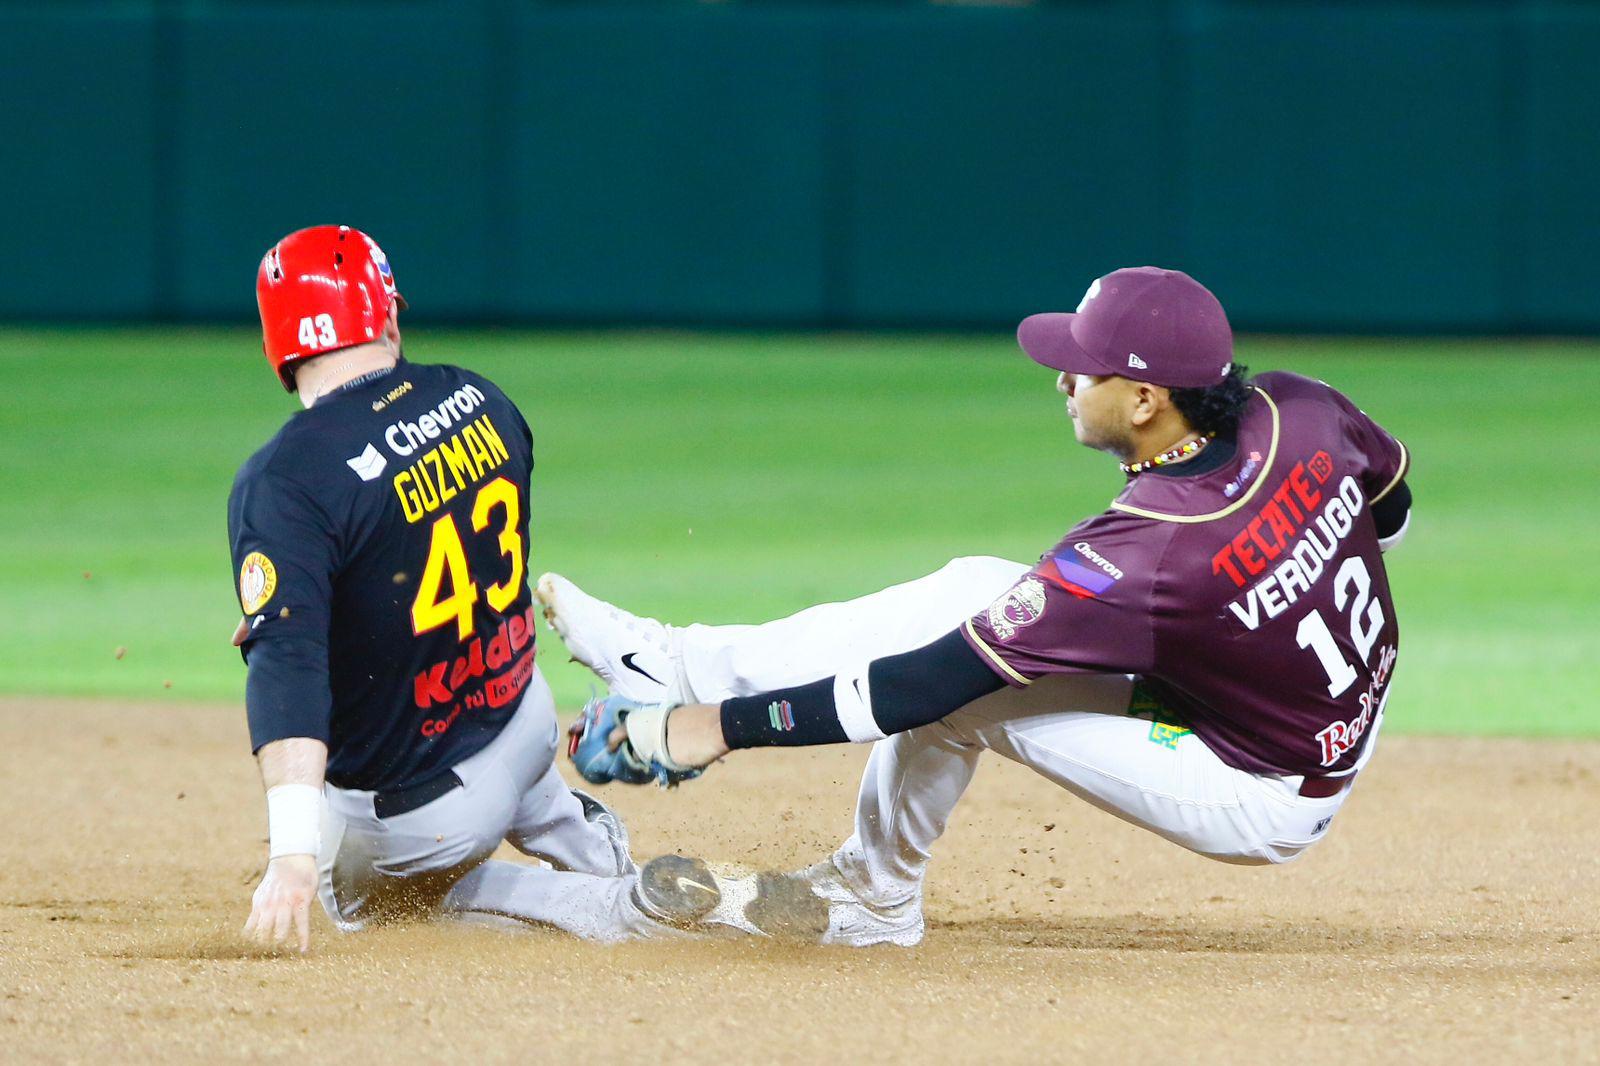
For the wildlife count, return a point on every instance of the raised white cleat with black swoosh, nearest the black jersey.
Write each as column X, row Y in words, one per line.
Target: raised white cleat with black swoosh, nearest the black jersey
column 630, row 654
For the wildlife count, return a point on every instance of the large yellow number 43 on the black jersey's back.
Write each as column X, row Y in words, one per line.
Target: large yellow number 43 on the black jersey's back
column 447, row 559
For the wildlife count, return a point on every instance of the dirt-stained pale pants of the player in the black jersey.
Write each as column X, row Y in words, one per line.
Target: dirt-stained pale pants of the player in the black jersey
column 436, row 860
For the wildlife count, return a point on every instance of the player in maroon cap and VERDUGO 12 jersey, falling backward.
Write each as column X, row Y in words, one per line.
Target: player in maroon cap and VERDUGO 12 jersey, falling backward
column 1209, row 659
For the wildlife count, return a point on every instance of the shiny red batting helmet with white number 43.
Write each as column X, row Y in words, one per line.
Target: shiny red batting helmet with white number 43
column 319, row 291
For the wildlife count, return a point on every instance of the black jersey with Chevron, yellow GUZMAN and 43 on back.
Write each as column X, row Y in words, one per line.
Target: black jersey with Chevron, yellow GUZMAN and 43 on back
column 380, row 542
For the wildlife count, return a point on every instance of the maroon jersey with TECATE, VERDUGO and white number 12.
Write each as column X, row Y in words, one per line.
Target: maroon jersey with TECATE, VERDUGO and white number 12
column 1252, row 598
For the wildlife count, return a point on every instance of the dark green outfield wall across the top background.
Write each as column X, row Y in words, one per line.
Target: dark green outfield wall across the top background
column 1354, row 166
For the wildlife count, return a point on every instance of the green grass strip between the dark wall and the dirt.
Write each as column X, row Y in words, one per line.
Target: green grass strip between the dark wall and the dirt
column 734, row 478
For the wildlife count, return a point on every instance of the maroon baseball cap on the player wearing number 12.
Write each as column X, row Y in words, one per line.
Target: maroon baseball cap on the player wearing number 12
column 1140, row 323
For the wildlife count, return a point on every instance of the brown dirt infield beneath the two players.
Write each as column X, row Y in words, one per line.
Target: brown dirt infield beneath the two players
column 1454, row 915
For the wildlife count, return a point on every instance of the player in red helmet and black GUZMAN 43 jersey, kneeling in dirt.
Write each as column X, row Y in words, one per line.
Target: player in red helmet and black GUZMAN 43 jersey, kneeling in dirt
column 401, row 724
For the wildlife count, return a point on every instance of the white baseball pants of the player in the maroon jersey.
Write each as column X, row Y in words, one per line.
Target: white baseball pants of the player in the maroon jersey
column 1073, row 729
